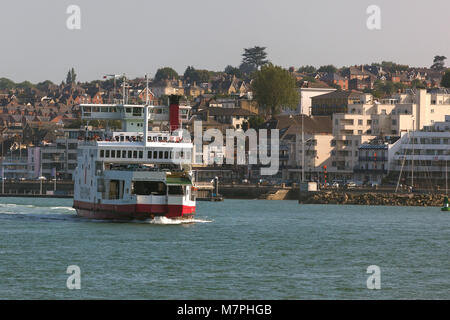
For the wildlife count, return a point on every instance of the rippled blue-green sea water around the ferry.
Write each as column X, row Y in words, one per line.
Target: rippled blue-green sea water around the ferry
column 238, row 250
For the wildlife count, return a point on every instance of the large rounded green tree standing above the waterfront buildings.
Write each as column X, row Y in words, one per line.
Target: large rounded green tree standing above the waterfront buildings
column 274, row 87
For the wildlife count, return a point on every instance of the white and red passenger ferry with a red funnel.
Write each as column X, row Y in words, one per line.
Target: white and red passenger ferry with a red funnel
column 140, row 172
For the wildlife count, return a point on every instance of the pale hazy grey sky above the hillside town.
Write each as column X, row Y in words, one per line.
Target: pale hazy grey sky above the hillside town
column 139, row 36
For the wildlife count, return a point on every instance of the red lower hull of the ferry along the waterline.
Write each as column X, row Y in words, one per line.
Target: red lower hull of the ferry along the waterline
column 127, row 212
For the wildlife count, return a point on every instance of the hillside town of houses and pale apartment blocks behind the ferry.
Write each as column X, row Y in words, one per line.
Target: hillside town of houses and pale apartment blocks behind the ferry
column 374, row 124
